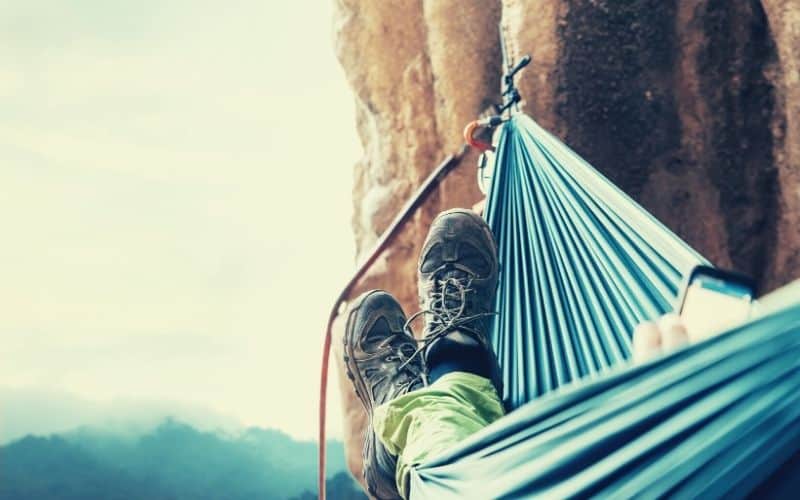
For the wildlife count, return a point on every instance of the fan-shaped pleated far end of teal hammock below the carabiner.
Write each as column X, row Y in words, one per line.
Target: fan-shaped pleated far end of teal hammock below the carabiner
column 581, row 264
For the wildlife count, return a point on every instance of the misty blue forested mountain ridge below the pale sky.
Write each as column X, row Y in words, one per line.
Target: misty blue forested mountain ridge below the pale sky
column 173, row 461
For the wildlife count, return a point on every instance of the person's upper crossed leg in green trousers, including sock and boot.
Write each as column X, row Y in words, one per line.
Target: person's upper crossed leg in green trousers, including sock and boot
column 458, row 273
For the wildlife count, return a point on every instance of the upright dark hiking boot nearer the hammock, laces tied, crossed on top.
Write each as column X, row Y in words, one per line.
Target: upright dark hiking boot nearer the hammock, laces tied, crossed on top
column 458, row 273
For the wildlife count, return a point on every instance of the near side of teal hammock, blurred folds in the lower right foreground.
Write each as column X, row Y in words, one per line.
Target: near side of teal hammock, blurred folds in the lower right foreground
column 714, row 420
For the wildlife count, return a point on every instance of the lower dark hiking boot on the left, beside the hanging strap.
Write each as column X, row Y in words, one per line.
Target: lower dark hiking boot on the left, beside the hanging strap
column 378, row 355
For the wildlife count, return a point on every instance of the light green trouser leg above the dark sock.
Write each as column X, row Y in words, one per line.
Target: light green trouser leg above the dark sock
column 429, row 421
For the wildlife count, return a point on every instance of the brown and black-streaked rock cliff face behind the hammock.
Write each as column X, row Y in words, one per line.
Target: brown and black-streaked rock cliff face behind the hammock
column 690, row 106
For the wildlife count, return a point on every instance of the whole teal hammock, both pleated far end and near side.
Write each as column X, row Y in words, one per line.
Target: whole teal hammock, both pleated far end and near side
column 581, row 265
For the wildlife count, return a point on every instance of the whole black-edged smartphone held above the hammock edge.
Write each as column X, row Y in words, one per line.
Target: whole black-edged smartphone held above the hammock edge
column 714, row 299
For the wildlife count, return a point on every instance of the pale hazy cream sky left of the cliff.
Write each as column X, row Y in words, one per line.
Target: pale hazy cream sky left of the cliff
column 174, row 202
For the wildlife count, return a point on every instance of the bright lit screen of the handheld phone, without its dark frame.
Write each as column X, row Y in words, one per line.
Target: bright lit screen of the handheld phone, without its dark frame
column 712, row 304
